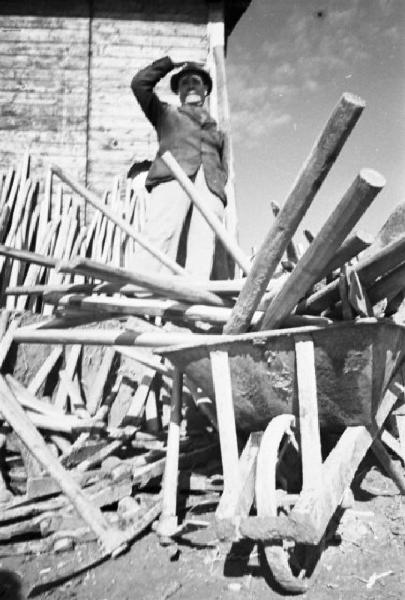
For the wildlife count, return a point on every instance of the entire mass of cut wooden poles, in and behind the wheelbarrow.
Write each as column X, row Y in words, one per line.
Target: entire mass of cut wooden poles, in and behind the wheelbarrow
column 105, row 432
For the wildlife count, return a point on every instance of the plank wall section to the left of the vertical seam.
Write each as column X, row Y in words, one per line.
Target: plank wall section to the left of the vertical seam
column 44, row 59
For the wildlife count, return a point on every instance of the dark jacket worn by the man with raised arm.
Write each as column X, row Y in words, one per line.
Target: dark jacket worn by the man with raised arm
column 187, row 131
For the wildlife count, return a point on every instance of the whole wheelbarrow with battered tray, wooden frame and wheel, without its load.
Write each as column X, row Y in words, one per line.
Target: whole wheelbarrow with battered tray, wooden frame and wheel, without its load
column 280, row 390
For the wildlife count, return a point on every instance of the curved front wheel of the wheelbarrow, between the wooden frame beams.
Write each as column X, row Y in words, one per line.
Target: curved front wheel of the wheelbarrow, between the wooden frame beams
column 285, row 560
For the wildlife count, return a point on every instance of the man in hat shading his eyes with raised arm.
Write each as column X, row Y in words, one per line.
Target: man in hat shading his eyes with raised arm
column 192, row 136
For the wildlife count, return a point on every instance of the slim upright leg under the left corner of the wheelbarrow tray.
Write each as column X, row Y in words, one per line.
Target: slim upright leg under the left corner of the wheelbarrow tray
column 168, row 523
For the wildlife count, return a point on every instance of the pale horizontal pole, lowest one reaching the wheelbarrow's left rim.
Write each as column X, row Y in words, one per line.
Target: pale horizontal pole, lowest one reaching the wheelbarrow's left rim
column 105, row 337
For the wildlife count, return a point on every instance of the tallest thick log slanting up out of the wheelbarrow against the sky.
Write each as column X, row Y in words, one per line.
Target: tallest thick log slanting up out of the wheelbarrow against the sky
column 309, row 180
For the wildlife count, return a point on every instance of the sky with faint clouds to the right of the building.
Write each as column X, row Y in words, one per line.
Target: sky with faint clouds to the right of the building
column 288, row 63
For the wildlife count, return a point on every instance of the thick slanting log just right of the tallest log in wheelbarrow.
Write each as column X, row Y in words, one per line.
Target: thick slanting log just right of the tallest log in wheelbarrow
column 349, row 210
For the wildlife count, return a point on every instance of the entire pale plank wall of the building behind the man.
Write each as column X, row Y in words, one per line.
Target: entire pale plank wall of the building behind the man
column 65, row 72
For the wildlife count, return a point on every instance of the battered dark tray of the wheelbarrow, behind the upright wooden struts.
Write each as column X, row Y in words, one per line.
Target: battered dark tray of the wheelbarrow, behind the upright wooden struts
column 354, row 362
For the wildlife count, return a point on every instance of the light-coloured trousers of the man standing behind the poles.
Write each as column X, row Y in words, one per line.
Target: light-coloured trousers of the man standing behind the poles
column 166, row 215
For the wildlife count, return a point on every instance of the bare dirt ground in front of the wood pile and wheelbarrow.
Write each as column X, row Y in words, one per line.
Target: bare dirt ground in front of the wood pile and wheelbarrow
column 363, row 559
